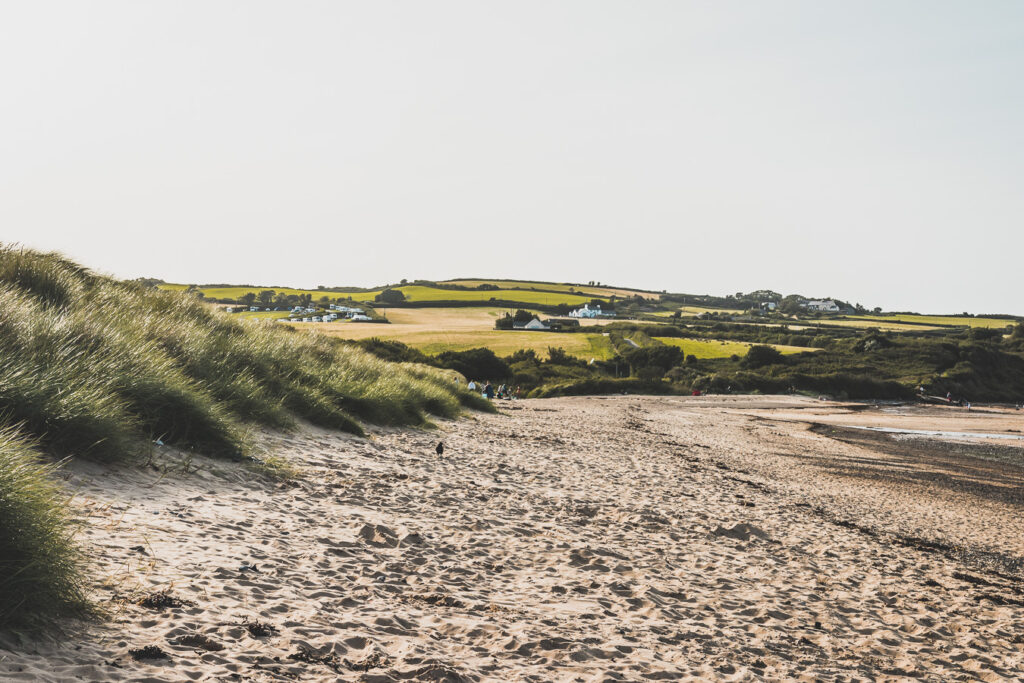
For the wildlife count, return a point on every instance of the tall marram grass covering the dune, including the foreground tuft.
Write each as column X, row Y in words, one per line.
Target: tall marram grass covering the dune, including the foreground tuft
column 96, row 368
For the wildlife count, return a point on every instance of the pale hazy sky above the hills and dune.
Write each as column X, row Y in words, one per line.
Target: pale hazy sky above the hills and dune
column 868, row 151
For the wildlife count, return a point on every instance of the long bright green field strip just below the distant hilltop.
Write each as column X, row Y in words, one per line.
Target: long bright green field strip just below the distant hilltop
column 412, row 292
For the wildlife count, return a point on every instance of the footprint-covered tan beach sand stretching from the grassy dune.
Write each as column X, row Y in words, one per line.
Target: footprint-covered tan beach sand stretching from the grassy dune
column 579, row 539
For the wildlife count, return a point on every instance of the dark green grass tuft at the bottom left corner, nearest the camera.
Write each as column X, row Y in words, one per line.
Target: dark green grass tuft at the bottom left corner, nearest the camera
column 40, row 571
